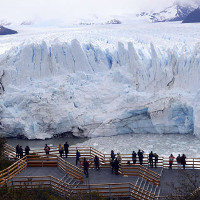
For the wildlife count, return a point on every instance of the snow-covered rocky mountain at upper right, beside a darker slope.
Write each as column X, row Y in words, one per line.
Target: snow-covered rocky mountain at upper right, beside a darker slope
column 176, row 12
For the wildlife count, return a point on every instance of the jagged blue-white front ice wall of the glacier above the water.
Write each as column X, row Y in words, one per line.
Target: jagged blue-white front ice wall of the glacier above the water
column 49, row 88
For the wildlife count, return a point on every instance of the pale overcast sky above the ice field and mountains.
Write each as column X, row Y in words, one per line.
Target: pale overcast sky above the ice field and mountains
column 22, row 10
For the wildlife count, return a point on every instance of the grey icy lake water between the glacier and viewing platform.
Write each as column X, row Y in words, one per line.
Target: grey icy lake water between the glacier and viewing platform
column 162, row 144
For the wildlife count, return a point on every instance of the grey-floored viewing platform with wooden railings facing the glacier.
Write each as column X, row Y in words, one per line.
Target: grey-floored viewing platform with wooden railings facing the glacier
column 138, row 182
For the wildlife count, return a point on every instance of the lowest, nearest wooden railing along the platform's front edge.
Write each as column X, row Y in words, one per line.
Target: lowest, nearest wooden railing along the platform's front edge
column 114, row 189
